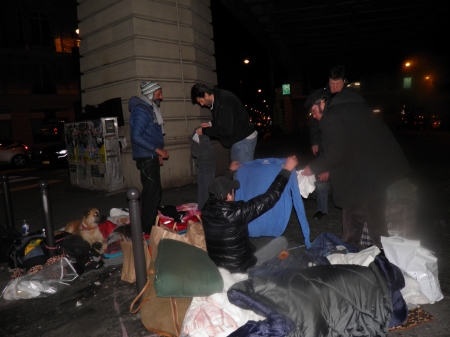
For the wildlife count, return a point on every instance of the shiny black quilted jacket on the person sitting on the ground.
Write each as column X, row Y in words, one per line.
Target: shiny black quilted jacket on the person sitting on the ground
column 226, row 226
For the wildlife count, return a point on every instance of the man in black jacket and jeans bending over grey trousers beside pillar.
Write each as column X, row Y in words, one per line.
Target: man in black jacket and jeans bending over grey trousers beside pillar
column 231, row 122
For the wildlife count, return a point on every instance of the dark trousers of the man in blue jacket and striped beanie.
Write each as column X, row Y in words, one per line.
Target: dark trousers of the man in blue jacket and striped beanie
column 151, row 190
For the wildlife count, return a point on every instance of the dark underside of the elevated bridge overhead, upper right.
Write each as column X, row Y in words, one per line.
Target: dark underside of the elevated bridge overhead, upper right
column 308, row 37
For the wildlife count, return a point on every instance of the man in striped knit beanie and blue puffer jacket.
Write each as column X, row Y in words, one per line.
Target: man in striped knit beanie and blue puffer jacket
column 147, row 131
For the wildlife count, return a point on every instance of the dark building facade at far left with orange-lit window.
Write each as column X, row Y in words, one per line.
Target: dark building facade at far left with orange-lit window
column 39, row 69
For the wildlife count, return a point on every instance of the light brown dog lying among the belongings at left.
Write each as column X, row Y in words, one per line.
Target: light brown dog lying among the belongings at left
column 87, row 228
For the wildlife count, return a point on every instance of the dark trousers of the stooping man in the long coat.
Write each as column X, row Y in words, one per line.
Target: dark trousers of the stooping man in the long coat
column 372, row 211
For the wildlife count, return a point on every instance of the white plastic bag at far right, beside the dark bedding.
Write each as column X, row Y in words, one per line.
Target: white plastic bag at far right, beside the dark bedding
column 416, row 261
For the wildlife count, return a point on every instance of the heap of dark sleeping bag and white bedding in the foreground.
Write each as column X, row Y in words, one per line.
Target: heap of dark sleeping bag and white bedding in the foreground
column 310, row 293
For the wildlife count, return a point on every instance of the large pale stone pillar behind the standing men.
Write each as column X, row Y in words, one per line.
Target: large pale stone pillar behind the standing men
column 124, row 42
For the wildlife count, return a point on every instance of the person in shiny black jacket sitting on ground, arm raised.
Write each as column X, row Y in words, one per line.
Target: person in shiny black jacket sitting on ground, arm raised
column 225, row 221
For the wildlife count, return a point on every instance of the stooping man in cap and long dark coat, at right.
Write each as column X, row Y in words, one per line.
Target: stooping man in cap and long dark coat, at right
column 362, row 157
